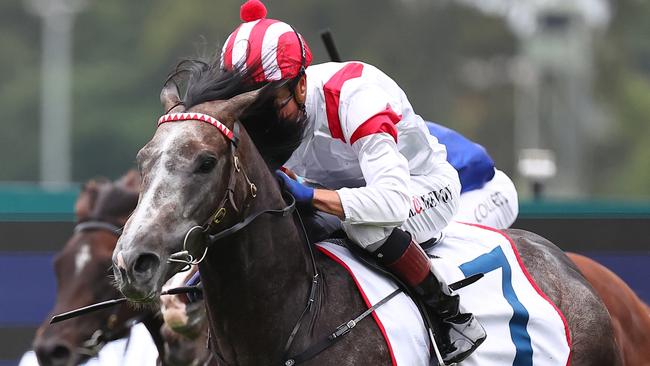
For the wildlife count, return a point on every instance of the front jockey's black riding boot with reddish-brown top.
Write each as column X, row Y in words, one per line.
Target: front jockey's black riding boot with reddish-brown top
column 410, row 263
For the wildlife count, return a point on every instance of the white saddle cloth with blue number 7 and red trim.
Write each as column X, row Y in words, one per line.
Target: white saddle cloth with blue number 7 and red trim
column 523, row 326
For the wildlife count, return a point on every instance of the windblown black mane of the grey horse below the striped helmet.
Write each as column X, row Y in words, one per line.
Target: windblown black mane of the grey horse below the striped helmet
column 275, row 138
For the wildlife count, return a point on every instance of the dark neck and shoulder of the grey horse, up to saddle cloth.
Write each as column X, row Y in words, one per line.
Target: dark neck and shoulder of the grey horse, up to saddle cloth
column 256, row 285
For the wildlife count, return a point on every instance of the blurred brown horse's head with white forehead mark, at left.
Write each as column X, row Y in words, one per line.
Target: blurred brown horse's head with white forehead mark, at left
column 82, row 274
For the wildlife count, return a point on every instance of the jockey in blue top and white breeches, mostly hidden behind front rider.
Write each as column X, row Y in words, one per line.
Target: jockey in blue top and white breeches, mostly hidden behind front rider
column 487, row 195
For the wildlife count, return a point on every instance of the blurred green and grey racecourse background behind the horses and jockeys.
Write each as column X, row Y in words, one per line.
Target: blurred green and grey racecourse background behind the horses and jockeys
column 557, row 91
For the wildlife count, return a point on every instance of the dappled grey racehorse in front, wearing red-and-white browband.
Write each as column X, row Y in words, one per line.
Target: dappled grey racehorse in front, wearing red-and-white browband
column 258, row 278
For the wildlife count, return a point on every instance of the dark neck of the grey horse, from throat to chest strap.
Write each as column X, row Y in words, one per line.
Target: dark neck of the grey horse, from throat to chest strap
column 256, row 281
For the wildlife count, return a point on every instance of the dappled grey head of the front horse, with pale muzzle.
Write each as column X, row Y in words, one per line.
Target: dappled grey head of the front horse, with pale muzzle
column 191, row 173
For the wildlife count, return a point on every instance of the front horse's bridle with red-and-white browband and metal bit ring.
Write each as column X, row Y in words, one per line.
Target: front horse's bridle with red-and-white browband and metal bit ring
column 184, row 256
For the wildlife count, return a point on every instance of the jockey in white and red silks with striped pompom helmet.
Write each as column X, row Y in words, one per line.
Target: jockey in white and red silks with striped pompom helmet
column 386, row 177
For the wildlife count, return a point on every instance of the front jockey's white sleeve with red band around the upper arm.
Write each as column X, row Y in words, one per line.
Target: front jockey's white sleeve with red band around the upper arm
column 368, row 124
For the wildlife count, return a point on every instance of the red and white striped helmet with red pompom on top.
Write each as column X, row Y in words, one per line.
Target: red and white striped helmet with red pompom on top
column 271, row 46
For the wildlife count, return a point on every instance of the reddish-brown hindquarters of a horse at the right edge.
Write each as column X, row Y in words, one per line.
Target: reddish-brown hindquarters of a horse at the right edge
column 630, row 315
